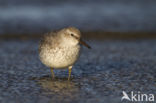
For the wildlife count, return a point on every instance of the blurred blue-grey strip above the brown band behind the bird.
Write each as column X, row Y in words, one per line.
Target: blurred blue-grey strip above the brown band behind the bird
column 38, row 16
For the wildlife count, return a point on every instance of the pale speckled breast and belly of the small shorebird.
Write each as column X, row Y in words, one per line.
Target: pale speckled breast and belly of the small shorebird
column 59, row 57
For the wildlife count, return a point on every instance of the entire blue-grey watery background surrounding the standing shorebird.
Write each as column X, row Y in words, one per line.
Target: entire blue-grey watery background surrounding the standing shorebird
column 122, row 34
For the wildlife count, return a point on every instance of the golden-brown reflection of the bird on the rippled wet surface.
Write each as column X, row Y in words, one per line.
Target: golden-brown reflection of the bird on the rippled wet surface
column 59, row 85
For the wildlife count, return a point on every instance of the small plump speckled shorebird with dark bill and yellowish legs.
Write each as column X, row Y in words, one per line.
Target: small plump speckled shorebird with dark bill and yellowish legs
column 61, row 49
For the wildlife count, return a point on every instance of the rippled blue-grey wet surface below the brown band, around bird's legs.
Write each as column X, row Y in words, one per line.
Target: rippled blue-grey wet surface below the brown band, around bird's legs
column 100, row 75
